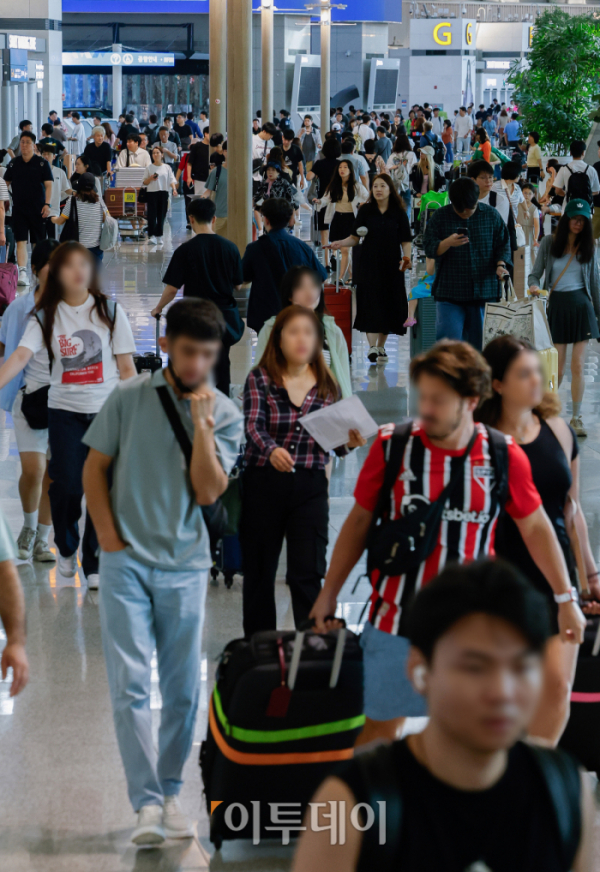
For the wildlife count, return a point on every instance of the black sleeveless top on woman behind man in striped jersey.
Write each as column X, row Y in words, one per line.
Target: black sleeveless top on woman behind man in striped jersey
column 552, row 477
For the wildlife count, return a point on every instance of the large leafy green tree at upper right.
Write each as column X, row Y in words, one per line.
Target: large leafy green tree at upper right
column 556, row 90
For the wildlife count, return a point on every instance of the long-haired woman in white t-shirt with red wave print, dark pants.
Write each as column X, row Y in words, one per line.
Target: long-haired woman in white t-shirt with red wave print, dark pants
column 90, row 345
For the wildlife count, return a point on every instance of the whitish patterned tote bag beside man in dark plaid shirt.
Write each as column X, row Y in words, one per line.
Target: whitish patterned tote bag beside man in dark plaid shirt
column 524, row 319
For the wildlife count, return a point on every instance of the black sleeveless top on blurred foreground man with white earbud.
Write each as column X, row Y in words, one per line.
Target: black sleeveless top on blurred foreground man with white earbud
column 509, row 827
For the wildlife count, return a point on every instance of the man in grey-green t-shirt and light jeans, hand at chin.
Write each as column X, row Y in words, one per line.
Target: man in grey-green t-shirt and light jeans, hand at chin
column 155, row 550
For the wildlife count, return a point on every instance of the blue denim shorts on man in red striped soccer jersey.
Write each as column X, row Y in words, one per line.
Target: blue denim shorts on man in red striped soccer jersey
column 388, row 691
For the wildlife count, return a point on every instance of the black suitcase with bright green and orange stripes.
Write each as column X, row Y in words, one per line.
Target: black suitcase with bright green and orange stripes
column 286, row 709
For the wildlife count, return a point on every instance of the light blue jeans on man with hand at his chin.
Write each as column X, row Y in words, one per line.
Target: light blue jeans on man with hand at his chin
column 142, row 609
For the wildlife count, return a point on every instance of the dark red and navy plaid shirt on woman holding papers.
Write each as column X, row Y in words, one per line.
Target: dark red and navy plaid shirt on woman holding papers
column 272, row 421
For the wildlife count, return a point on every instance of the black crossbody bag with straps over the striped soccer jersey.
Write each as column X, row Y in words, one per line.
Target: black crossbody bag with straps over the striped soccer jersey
column 401, row 545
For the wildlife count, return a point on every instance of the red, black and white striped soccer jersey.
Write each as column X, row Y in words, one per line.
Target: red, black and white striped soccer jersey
column 469, row 521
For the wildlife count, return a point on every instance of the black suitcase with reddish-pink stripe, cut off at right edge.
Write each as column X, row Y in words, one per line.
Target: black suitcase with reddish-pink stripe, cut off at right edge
column 582, row 734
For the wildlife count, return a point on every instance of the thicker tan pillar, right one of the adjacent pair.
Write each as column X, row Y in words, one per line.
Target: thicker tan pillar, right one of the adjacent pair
column 239, row 127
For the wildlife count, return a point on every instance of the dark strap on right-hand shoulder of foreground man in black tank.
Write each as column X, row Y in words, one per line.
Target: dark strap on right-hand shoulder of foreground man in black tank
column 561, row 776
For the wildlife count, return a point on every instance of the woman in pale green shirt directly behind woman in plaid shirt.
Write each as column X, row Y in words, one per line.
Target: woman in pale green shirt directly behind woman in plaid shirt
column 302, row 286
